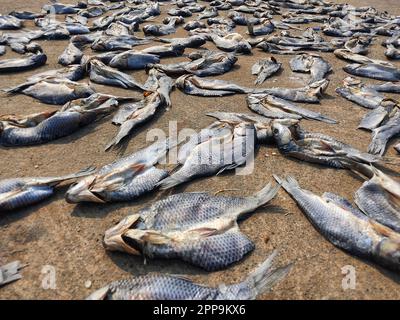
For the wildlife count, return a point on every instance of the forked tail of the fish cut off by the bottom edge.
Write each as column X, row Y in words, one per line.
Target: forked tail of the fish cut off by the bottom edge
column 264, row 278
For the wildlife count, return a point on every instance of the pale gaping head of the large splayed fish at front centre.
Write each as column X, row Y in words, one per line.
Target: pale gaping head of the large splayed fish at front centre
column 115, row 237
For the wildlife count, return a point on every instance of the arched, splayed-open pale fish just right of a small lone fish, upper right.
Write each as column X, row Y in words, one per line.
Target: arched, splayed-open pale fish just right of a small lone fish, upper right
column 311, row 63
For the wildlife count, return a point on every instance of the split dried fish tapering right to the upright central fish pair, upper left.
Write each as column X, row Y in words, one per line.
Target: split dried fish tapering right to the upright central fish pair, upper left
column 102, row 74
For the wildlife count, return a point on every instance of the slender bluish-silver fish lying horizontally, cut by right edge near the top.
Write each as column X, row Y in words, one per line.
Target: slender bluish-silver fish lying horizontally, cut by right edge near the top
column 373, row 71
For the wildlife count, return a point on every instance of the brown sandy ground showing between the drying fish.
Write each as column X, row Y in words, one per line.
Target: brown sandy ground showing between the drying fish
column 68, row 237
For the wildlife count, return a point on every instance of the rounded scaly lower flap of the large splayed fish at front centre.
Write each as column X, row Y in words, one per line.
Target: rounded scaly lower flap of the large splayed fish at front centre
column 218, row 251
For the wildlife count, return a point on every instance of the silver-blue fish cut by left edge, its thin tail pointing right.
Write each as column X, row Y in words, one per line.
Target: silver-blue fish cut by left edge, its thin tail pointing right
column 17, row 193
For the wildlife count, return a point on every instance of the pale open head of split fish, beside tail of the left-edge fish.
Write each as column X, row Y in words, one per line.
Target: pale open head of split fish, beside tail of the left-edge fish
column 80, row 191
